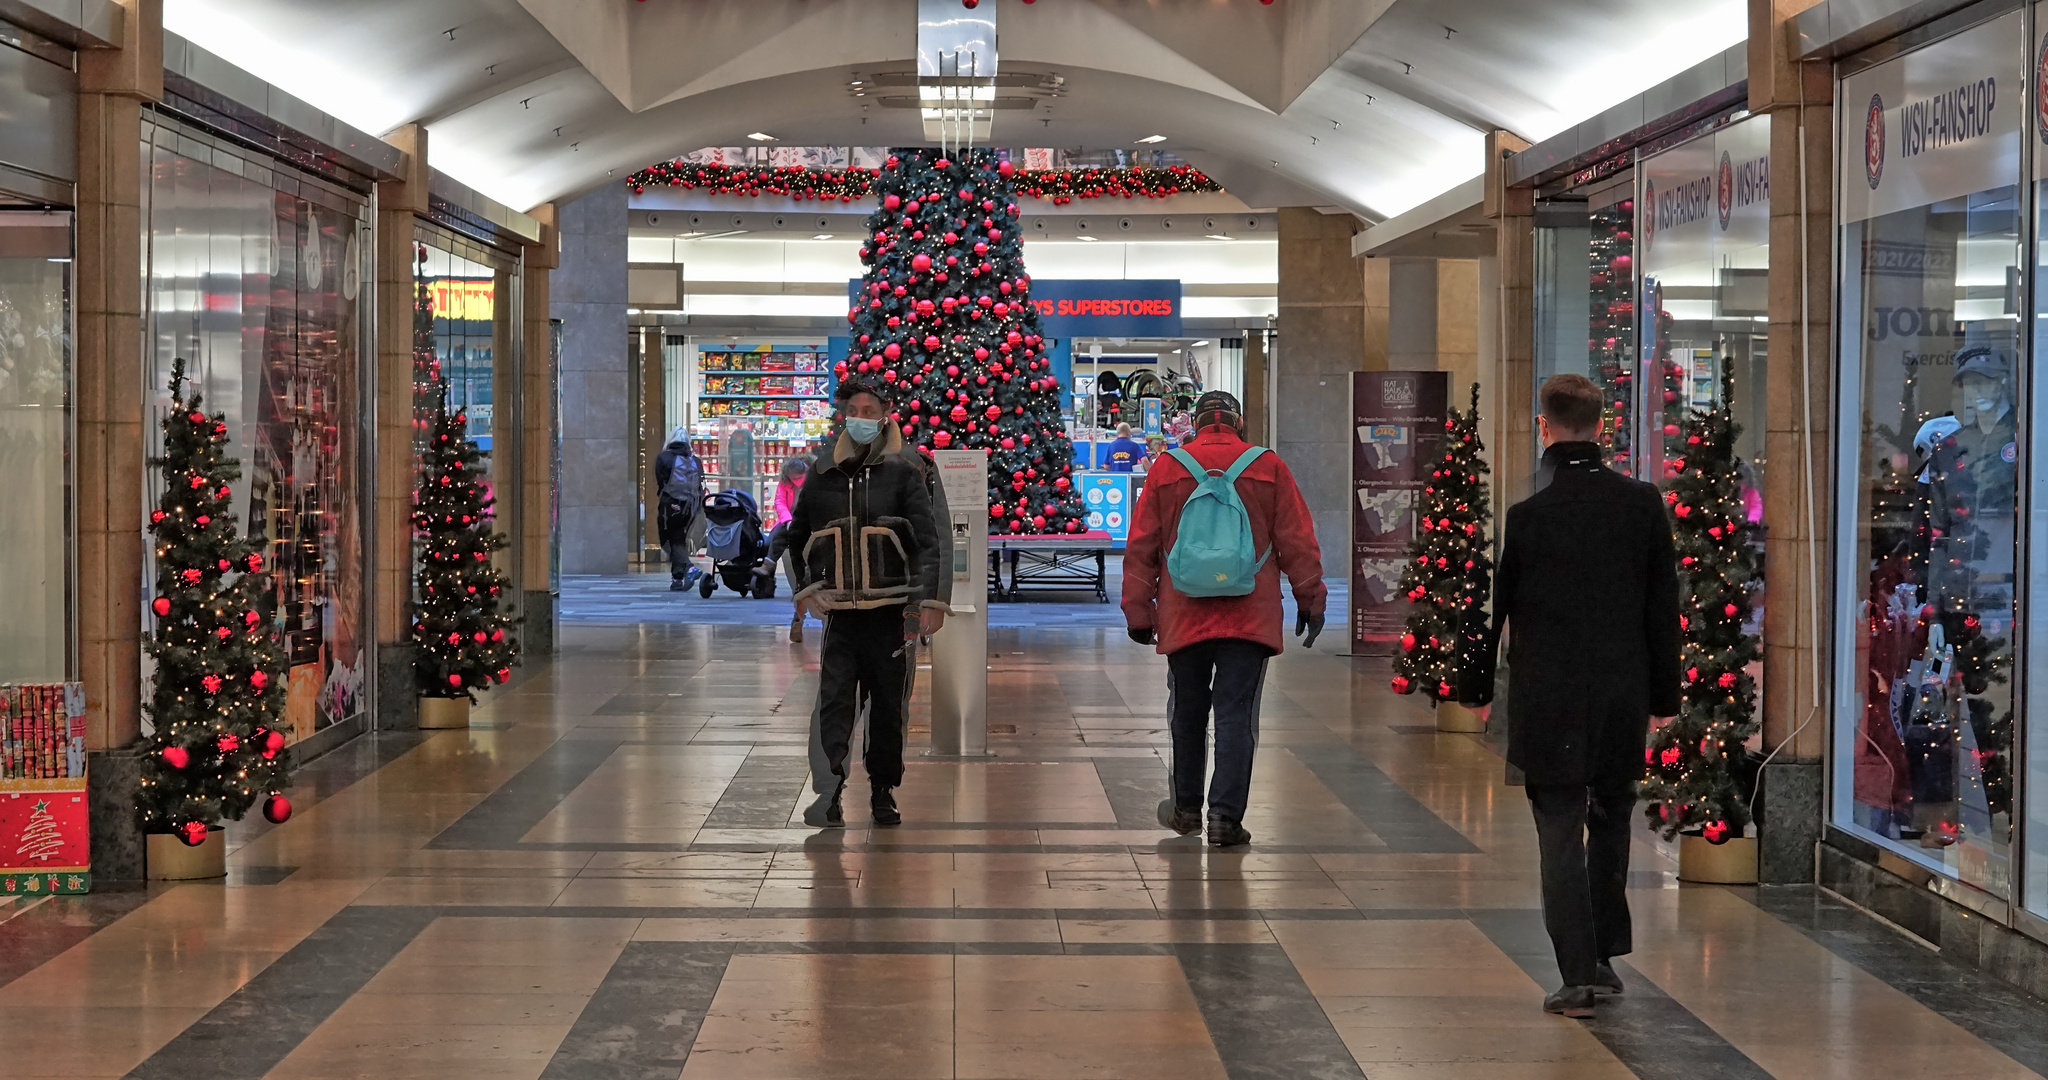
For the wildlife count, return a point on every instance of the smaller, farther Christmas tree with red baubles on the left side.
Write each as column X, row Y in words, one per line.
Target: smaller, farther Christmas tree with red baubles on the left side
column 460, row 624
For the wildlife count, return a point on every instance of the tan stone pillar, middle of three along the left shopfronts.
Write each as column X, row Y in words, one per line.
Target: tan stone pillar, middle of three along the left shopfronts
column 398, row 202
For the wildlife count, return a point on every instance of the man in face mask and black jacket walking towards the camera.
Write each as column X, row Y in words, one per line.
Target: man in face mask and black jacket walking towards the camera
column 867, row 563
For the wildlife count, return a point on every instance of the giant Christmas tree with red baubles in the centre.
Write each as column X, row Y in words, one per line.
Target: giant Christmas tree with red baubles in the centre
column 947, row 327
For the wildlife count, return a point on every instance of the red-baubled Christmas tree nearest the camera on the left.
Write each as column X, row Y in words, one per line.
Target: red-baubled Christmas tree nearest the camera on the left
column 218, row 688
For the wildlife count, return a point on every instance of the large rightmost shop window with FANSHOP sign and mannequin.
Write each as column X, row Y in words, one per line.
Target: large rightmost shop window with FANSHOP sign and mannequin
column 1930, row 372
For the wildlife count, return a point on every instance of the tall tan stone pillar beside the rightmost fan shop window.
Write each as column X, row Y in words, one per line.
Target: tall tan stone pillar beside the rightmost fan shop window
column 1799, row 440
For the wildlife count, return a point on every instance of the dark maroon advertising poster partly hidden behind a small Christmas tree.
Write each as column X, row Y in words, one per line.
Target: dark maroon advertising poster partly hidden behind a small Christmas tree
column 1398, row 425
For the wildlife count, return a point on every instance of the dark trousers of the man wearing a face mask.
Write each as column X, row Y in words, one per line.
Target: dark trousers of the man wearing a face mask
column 863, row 659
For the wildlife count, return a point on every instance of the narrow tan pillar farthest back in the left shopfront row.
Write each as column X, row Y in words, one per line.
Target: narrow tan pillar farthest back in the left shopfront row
column 538, row 444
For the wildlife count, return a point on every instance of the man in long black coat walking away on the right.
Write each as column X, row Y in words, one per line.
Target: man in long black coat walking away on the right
column 1588, row 587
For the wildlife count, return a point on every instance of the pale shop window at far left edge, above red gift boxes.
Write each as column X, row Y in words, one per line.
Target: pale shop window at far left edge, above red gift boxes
column 36, row 425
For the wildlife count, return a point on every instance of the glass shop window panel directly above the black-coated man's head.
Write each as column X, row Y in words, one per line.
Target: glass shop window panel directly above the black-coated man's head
column 1586, row 300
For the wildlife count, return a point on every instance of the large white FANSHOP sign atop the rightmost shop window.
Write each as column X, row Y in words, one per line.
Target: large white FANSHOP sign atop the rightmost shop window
column 1936, row 124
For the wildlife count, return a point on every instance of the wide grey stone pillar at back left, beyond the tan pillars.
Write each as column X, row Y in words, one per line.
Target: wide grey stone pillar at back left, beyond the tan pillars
column 589, row 294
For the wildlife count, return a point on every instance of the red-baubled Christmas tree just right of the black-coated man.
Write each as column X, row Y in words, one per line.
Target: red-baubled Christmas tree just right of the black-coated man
column 1697, row 776
